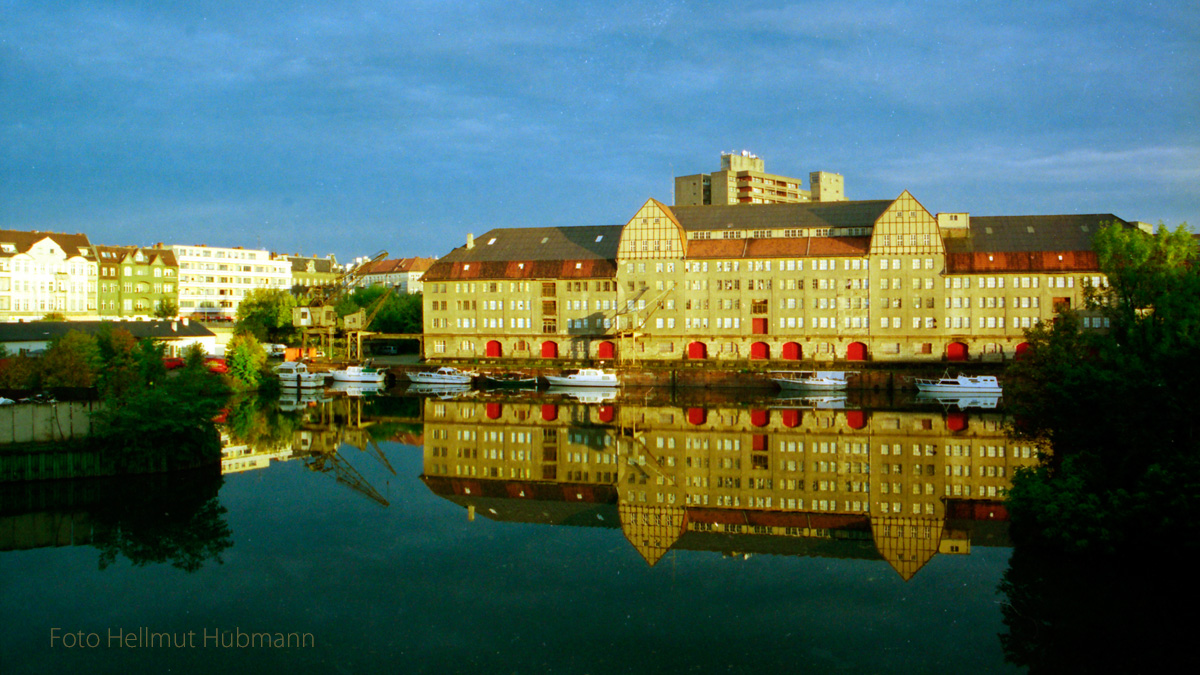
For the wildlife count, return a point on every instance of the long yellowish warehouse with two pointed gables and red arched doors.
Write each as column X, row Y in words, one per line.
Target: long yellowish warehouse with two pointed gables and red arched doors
column 865, row 280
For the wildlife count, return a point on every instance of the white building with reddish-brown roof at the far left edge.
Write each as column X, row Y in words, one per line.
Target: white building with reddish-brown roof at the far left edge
column 46, row 273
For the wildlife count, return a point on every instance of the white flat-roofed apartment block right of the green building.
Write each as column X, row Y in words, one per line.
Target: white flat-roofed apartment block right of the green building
column 214, row 280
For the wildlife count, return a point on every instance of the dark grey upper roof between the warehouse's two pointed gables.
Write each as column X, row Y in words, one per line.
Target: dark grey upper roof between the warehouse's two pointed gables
column 782, row 217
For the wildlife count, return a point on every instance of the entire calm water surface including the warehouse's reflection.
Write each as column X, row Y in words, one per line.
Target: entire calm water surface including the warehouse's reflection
column 502, row 565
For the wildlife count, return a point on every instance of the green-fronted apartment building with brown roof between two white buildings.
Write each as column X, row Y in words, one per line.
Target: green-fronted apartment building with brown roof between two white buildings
column 136, row 282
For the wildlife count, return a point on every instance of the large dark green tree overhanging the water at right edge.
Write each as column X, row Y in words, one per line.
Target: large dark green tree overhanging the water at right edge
column 1115, row 409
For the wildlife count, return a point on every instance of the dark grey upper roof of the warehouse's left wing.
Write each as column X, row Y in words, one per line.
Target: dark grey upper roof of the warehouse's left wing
column 581, row 243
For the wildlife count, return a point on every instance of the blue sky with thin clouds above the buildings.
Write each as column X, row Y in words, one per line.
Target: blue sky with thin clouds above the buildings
column 350, row 127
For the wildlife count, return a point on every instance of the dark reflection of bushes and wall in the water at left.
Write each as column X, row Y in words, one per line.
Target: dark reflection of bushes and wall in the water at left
column 171, row 518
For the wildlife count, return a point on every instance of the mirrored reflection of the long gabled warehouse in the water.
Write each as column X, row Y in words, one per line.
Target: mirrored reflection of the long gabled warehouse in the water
column 782, row 479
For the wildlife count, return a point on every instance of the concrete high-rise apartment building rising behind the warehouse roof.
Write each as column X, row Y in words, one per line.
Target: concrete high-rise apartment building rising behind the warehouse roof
column 742, row 180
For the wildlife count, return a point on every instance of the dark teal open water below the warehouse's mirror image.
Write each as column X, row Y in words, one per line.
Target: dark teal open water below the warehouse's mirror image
column 418, row 587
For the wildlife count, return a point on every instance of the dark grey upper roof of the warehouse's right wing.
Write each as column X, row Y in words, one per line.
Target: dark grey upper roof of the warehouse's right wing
column 1031, row 234
